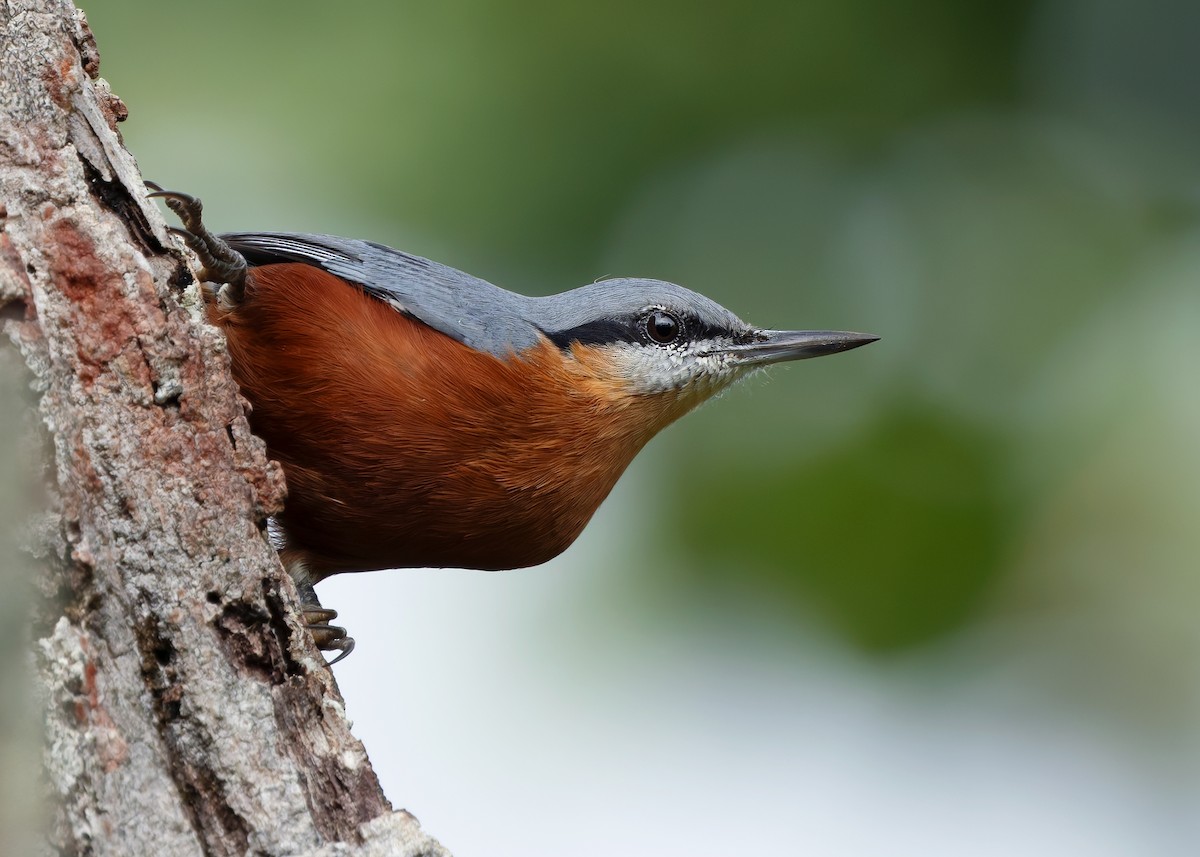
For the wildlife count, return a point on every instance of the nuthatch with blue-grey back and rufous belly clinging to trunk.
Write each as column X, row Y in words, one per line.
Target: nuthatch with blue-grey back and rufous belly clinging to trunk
column 427, row 418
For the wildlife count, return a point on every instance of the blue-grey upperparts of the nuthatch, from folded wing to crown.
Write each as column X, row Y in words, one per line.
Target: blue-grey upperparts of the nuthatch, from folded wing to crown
column 471, row 310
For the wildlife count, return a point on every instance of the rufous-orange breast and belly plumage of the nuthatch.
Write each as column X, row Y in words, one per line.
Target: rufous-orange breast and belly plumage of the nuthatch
column 405, row 448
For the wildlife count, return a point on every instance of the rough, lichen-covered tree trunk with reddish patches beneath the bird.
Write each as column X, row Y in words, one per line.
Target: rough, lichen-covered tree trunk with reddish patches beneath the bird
column 187, row 711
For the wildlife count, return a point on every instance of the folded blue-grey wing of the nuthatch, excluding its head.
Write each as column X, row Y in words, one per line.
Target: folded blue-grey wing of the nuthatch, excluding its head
column 465, row 308
